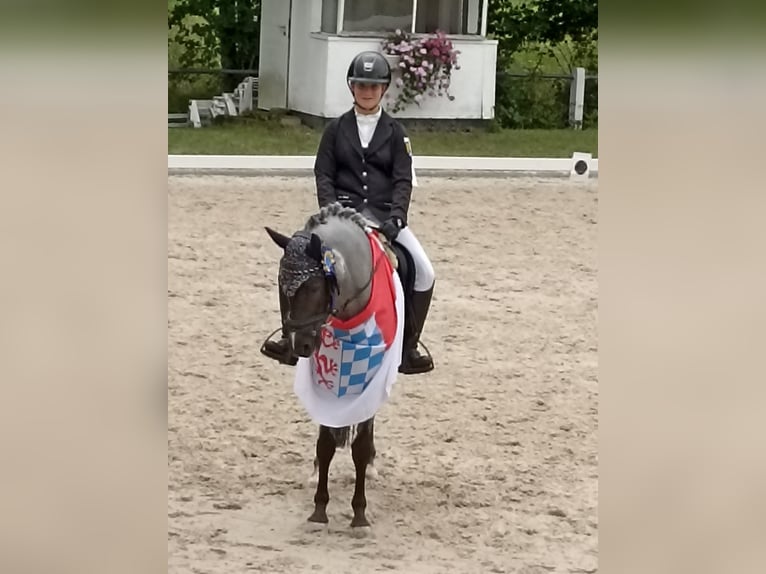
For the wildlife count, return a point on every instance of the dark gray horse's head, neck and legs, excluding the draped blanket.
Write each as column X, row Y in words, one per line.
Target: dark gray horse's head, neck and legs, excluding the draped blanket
column 314, row 295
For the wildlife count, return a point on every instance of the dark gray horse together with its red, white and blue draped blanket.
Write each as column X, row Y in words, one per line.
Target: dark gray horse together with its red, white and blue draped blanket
column 333, row 271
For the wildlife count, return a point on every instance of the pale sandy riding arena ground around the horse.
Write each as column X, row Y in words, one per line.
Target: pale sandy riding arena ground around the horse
column 487, row 464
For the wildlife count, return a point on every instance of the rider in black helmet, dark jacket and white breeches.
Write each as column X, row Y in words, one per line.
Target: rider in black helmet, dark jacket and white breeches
column 364, row 161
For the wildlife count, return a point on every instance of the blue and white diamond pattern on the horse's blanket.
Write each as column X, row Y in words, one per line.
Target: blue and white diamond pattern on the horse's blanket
column 363, row 349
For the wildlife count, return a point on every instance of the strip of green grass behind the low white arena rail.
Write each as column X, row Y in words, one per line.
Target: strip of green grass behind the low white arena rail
column 268, row 137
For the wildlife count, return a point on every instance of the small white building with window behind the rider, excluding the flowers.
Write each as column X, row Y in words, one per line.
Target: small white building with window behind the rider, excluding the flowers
column 307, row 45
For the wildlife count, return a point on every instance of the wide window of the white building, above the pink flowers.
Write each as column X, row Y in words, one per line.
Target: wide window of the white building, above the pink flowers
column 451, row 16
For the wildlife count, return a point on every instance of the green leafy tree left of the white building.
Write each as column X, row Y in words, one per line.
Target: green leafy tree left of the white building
column 224, row 31
